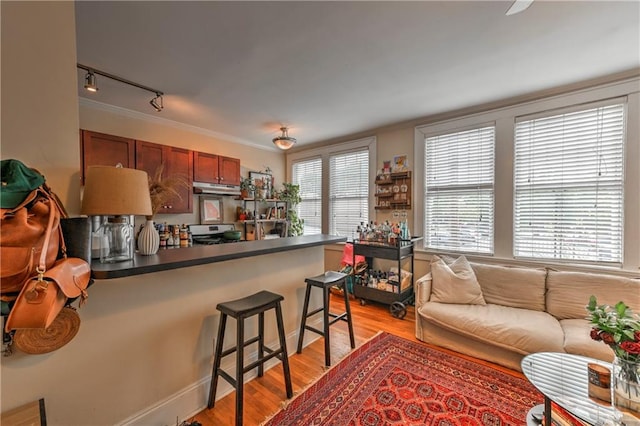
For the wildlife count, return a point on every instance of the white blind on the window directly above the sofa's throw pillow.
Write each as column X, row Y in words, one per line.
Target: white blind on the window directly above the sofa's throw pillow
column 459, row 184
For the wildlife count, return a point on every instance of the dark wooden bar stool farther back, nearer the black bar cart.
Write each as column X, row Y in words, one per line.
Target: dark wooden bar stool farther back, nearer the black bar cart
column 325, row 282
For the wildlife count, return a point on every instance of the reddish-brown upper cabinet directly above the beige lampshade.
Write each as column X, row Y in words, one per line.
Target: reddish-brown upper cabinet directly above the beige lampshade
column 99, row 149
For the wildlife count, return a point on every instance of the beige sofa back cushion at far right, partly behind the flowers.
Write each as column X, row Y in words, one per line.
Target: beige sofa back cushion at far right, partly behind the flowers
column 568, row 292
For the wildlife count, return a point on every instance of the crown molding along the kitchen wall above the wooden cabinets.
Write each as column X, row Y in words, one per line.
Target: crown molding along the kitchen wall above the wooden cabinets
column 89, row 103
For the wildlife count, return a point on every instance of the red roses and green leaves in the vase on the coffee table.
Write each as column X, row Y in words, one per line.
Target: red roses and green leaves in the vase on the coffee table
column 617, row 327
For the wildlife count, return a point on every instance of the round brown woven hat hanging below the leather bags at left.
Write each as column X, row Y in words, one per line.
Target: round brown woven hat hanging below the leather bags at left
column 44, row 340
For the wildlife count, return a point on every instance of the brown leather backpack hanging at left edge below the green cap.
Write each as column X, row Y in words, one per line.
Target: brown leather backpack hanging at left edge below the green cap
column 30, row 238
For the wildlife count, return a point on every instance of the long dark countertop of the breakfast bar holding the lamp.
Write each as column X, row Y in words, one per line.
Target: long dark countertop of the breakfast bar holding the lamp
column 182, row 257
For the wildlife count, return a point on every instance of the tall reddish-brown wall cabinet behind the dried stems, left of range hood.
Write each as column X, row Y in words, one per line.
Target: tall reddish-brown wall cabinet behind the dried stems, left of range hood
column 177, row 161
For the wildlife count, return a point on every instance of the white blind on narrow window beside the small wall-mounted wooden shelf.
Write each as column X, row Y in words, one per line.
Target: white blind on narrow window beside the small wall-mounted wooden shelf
column 348, row 191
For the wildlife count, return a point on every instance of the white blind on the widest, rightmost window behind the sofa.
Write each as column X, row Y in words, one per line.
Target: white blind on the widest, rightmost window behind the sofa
column 569, row 185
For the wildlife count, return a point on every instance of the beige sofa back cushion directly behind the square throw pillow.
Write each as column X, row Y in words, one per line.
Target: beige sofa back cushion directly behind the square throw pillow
column 511, row 286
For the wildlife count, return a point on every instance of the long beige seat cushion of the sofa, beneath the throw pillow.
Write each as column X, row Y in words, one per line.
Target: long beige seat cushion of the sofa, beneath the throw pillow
column 520, row 330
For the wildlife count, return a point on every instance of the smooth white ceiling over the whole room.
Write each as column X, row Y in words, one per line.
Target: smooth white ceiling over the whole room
column 240, row 70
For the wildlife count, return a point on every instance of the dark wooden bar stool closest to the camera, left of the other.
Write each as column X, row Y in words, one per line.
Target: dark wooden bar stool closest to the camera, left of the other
column 241, row 309
